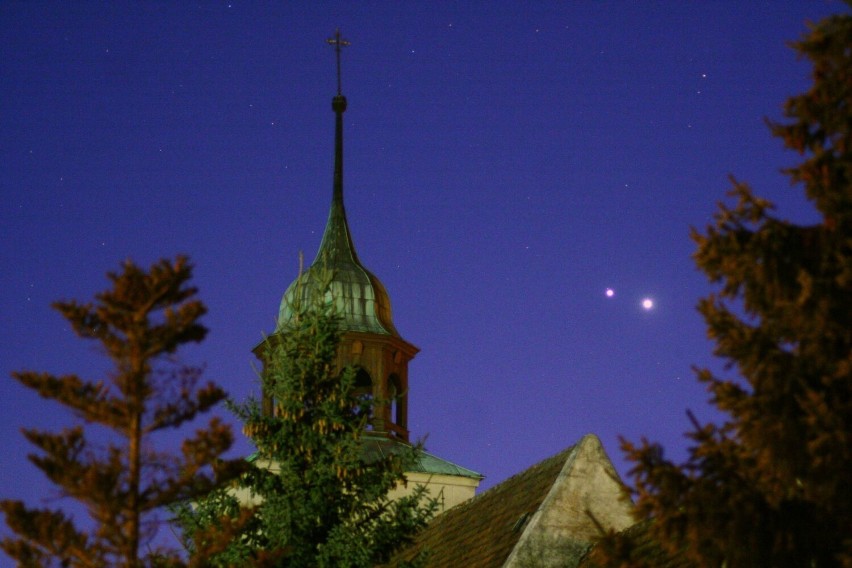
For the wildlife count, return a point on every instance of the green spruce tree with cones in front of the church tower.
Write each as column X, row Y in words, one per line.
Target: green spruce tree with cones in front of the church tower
column 319, row 499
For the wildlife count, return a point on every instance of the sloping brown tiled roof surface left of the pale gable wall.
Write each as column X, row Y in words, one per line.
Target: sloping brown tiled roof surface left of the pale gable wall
column 483, row 532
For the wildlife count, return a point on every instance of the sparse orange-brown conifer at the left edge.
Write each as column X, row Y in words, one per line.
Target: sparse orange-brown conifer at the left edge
column 107, row 461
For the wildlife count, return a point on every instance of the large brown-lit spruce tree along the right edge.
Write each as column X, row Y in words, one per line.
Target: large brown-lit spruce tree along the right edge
column 770, row 486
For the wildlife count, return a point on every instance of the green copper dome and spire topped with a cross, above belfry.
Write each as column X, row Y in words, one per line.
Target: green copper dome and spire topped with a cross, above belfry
column 360, row 297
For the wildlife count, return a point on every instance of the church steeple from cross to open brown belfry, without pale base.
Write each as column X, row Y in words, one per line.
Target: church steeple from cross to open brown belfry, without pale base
column 369, row 342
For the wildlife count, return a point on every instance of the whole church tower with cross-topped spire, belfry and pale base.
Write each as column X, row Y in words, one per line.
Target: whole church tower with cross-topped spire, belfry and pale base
column 369, row 341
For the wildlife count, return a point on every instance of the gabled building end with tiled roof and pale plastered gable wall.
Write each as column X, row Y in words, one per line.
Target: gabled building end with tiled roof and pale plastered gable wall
column 541, row 517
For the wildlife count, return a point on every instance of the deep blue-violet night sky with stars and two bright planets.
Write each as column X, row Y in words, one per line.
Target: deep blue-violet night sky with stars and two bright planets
column 505, row 166
